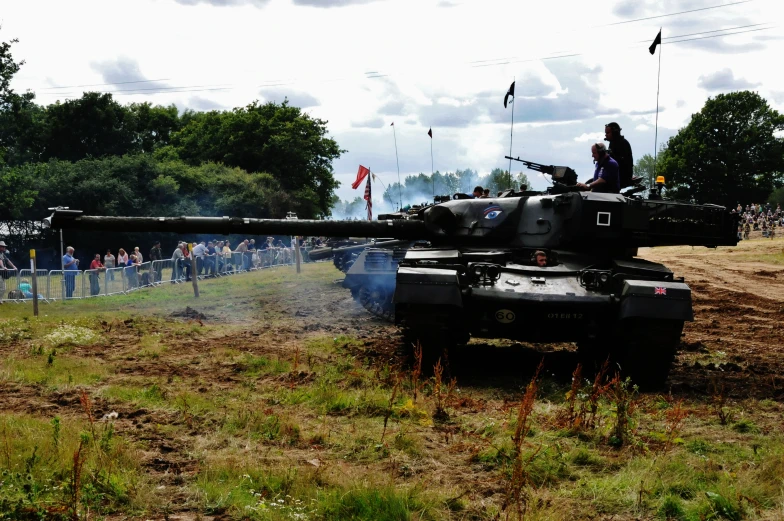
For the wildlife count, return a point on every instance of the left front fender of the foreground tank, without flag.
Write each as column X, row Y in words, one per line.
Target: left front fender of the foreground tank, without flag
column 427, row 286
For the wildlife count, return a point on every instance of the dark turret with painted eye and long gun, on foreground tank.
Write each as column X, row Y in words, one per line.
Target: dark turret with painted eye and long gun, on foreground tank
column 576, row 221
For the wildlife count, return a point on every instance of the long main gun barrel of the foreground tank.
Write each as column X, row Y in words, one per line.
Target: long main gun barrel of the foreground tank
column 396, row 228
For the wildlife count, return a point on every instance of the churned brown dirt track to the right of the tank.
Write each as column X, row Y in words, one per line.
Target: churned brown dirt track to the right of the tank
column 736, row 338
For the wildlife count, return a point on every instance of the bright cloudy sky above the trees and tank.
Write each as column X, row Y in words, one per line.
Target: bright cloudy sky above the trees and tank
column 362, row 64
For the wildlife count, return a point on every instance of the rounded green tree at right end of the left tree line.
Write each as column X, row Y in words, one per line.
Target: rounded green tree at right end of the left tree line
column 273, row 138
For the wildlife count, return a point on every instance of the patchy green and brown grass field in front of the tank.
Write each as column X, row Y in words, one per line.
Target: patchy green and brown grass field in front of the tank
column 273, row 396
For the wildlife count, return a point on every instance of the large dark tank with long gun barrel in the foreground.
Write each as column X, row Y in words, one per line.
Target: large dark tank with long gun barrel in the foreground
column 480, row 277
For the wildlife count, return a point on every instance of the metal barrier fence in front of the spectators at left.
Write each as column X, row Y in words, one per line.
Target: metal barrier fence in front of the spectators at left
column 16, row 285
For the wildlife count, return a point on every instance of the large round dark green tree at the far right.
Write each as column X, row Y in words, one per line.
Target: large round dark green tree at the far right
column 728, row 153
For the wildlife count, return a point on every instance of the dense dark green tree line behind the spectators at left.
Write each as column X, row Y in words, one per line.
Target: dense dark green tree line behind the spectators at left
column 107, row 158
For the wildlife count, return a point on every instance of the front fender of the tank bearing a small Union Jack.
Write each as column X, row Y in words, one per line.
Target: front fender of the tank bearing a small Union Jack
column 656, row 300
